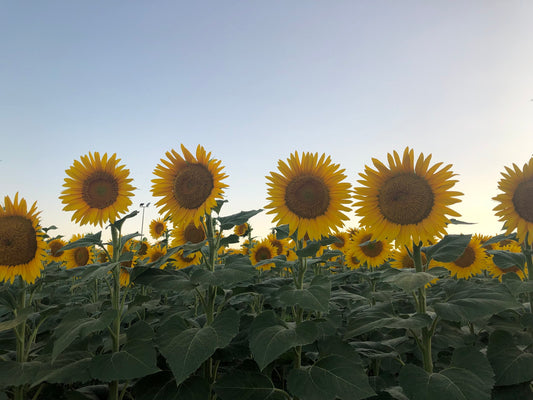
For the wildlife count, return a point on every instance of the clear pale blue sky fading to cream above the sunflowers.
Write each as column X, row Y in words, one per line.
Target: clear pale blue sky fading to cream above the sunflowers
column 253, row 81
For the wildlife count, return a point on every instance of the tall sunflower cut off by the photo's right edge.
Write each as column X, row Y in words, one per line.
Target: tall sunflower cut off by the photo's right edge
column 515, row 206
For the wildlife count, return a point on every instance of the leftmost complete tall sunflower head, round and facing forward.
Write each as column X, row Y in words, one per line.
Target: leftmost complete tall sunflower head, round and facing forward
column 97, row 189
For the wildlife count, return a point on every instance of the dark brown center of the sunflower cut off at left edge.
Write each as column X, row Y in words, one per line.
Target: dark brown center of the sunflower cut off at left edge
column 18, row 240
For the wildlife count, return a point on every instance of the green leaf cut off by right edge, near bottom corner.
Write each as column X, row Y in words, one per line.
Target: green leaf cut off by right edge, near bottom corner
column 510, row 364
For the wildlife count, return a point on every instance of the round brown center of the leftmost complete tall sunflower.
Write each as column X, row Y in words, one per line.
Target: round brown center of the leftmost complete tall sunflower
column 100, row 190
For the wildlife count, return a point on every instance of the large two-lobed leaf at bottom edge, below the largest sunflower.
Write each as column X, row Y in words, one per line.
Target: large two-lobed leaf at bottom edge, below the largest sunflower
column 469, row 377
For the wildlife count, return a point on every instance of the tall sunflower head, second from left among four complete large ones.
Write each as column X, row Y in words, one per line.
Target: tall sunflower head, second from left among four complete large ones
column 189, row 186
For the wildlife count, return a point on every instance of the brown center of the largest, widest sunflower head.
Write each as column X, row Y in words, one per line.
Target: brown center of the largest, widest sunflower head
column 406, row 199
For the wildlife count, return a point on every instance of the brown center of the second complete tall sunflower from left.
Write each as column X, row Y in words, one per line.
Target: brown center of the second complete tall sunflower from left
column 192, row 185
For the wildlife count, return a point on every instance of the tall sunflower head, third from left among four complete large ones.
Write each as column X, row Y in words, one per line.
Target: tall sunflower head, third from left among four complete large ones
column 308, row 194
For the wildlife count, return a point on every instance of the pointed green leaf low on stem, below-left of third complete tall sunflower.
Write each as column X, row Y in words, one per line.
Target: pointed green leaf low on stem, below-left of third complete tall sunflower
column 271, row 337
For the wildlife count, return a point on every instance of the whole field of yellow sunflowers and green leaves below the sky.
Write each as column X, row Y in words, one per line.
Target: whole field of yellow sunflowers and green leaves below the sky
column 394, row 308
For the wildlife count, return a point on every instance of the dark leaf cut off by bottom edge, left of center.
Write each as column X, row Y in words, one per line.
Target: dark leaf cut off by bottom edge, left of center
column 247, row 385
